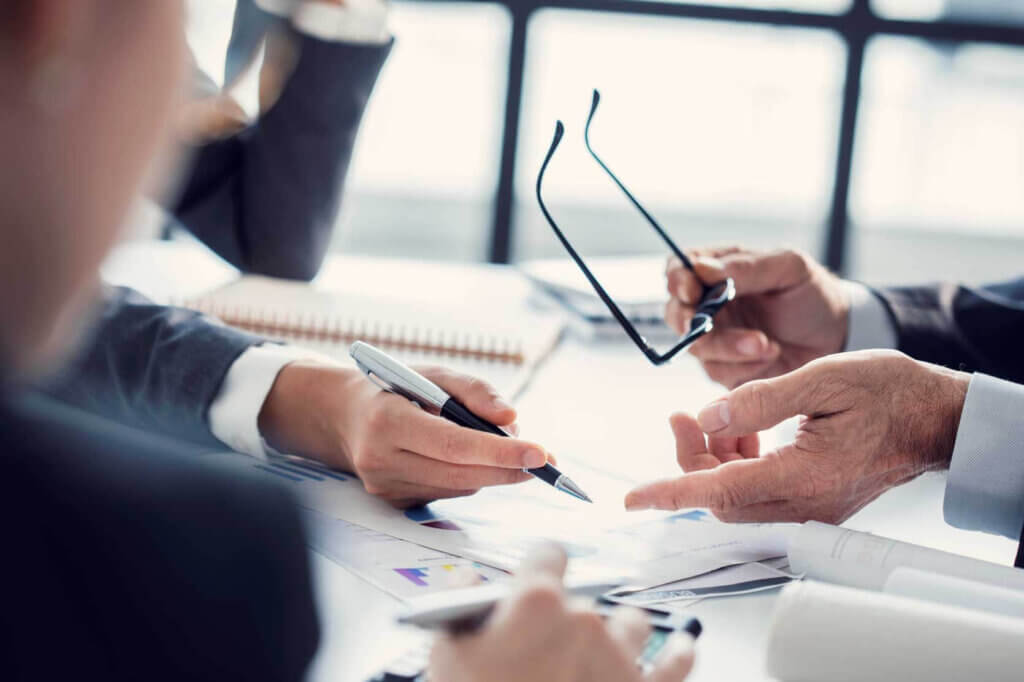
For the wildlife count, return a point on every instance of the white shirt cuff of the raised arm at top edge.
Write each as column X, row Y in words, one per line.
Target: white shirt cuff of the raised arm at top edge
column 356, row 22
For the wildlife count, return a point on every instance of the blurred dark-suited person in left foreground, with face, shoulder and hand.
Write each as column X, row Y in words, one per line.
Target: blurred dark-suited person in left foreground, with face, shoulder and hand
column 125, row 558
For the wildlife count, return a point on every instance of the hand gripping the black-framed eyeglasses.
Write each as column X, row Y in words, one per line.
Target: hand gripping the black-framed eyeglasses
column 789, row 311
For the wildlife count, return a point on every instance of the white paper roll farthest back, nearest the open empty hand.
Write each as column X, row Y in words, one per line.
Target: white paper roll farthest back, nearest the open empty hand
column 838, row 556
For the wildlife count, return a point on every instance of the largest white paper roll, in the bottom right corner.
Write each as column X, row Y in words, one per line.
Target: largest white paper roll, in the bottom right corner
column 829, row 633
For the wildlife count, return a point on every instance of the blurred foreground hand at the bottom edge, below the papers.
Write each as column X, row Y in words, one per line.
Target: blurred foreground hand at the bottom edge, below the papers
column 536, row 635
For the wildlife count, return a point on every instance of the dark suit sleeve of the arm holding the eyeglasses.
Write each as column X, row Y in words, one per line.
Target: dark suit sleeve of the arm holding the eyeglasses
column 973, row 329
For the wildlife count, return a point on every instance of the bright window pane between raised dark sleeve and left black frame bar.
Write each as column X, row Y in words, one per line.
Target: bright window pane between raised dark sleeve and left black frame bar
column 426, row 166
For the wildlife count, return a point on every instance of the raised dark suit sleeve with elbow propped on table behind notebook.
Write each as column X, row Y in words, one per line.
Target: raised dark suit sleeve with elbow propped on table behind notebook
column 267, row 199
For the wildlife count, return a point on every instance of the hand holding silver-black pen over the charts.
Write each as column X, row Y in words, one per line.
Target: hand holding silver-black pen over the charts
column 401, row 453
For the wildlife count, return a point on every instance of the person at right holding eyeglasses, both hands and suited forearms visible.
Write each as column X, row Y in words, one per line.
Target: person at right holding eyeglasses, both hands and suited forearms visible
column 932, row 378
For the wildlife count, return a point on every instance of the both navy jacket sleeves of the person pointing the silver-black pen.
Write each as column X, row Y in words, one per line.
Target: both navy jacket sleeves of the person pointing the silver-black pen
column 266, row 201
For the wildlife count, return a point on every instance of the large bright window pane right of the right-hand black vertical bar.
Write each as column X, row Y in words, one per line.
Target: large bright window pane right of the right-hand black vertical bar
column 938, row 189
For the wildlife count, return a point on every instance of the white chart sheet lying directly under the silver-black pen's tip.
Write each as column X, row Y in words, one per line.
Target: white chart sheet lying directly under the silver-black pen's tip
column 499, row 527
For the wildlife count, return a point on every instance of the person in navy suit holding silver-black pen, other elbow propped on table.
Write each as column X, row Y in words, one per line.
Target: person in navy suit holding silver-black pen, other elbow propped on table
column 264, row 194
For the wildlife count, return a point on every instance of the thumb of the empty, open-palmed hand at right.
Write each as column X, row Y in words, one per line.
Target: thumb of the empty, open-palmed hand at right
column 761, row 405
